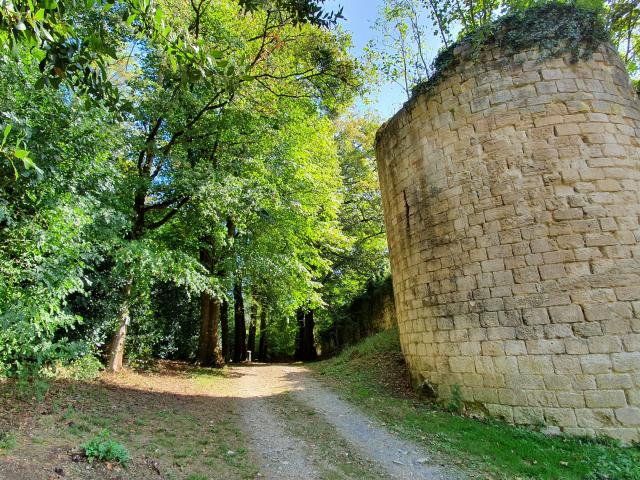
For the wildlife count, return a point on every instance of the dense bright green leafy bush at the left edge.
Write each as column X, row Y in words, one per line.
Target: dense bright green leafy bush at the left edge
column 51, row 216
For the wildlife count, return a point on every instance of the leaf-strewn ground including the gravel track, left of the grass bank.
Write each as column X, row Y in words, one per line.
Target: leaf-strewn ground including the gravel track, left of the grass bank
column 180, row 422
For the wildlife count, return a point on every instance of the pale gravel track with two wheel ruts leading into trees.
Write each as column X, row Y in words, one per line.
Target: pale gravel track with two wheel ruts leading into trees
column 285, row 456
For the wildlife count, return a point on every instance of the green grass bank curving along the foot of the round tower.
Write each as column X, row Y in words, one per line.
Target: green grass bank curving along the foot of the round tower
column 372, row 375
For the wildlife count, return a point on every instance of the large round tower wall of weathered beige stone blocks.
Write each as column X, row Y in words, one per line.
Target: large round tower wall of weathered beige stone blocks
column 511, row 203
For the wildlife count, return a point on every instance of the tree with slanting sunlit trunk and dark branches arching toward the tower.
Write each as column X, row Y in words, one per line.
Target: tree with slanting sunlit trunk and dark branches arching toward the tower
column 180, row 118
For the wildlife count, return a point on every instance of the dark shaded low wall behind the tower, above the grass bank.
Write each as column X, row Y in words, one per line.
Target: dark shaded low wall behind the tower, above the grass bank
column 370, row 313
